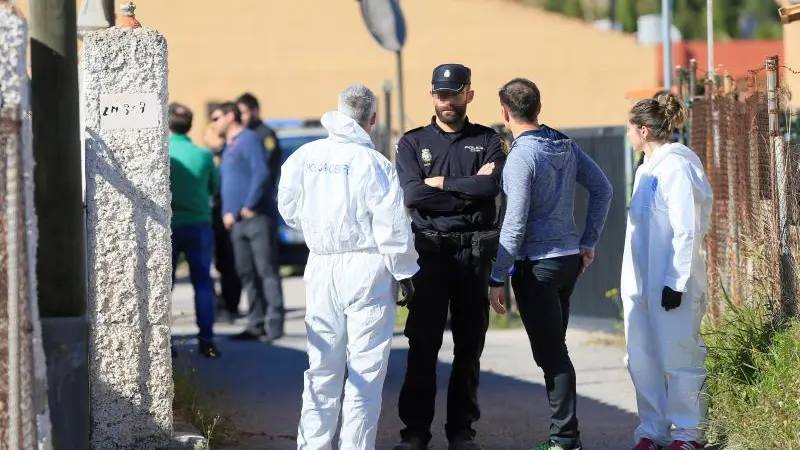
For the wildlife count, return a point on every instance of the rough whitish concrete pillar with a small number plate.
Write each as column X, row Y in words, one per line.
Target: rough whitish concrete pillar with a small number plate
column 128, row 235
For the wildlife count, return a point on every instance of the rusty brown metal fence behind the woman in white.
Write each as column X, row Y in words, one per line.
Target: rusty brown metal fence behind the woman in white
column 746, row 134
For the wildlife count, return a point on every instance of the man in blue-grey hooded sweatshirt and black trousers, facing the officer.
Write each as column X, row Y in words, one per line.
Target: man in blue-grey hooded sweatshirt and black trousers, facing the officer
column 540, row 240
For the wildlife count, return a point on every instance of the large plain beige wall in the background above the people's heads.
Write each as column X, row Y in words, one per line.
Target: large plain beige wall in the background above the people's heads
column 296, row 55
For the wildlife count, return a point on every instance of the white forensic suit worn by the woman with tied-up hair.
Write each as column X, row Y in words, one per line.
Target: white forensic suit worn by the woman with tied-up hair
column 667, row 221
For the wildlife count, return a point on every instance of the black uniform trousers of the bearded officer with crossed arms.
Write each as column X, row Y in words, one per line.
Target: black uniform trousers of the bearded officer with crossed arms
column 454, row 278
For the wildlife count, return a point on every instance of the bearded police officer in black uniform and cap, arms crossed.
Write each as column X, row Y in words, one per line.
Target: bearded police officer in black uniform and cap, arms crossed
column 450, row 175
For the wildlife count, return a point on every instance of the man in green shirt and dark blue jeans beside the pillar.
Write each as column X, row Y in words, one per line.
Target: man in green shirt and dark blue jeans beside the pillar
column 194, row 179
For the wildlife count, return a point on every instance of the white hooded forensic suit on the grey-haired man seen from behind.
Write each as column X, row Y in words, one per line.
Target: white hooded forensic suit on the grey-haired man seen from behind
column 345, row 198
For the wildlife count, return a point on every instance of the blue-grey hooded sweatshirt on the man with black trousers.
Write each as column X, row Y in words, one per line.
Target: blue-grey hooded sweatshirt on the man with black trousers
column 539, row 179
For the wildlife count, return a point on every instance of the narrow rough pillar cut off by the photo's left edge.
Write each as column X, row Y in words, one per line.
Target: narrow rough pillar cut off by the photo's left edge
column 24, row 419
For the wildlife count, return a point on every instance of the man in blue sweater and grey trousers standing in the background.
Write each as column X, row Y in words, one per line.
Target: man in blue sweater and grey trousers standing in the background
column 250, row 213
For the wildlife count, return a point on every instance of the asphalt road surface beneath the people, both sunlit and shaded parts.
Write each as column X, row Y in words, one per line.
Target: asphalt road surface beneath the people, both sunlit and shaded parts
column 260, row 386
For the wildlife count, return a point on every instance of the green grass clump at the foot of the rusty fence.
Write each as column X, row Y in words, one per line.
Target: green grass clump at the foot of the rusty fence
column 753, row 381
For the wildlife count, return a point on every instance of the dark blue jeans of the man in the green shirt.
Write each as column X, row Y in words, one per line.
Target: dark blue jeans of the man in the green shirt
column 196, row 242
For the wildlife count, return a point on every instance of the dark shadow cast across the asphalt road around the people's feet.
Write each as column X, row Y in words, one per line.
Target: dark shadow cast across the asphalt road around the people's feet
column 260, row 388
